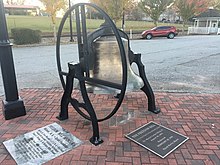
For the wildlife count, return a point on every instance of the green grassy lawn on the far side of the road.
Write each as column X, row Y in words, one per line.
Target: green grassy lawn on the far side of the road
column 44, row 24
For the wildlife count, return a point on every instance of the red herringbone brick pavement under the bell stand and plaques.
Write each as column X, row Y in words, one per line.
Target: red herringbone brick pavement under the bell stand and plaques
column 194, row 115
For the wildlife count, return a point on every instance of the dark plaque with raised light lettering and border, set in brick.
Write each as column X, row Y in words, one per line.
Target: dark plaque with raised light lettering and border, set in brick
column 157, row 138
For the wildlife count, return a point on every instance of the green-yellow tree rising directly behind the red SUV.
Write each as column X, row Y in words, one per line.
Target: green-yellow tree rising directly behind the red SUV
column 154, row 8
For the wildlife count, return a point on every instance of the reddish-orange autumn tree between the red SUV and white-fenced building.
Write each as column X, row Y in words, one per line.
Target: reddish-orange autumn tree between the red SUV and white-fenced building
column 189, row 8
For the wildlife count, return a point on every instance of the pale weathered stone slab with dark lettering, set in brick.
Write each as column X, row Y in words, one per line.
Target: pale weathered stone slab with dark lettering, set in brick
column 41, row 145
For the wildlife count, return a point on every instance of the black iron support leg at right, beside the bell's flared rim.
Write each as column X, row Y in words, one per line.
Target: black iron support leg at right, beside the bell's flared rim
column 146, row 88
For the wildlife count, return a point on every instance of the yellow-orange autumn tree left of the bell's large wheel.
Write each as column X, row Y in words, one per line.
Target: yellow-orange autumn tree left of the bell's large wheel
column 52, row 7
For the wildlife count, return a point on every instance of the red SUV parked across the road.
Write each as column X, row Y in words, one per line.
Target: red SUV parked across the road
column 160, row 31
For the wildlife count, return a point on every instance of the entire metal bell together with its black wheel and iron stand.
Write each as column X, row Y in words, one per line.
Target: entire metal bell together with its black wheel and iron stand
column 99, row 52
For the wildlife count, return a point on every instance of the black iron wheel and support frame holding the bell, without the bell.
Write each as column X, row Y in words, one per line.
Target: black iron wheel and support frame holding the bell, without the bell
column 80, row 70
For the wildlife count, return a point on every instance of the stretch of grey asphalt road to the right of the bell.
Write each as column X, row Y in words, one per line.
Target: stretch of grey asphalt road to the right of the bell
column 185, row 64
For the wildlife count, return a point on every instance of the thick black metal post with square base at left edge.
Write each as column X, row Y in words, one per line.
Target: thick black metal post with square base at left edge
column 13, row 106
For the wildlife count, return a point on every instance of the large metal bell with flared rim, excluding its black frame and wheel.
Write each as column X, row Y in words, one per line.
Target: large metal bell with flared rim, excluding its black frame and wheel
column 107, row 66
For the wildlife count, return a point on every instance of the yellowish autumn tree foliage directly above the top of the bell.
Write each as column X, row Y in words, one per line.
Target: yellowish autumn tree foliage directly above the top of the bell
column 115, row 8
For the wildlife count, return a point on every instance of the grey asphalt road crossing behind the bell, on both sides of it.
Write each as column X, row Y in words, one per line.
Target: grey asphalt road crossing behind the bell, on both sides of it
column 183, row 64
